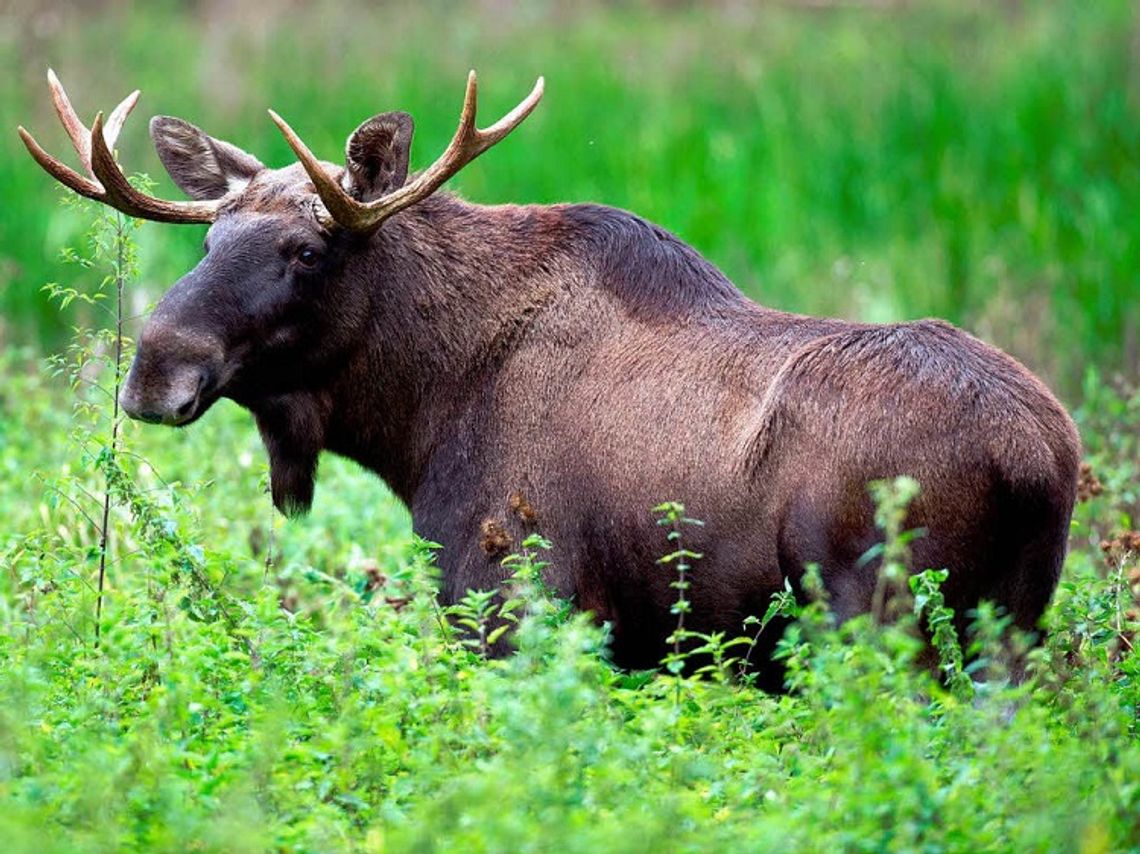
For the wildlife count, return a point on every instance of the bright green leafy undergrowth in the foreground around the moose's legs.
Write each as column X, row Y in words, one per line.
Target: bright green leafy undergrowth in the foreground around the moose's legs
column 308, row 698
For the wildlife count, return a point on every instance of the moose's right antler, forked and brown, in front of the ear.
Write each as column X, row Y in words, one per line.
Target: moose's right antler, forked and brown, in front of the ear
column 468, row 144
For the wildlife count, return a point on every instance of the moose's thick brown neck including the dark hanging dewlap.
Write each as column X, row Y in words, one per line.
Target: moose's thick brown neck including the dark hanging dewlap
column 450, row 289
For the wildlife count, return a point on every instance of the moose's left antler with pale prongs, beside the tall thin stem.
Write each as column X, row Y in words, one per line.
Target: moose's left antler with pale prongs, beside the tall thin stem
column 105, row 181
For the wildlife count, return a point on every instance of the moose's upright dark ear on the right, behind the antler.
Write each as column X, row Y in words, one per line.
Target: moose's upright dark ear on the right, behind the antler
column 377, row 157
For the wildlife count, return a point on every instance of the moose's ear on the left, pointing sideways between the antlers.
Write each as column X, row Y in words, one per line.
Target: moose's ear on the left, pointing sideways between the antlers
column 201, row 166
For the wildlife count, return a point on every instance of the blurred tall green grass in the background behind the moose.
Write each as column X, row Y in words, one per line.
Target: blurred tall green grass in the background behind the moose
column 978, row 161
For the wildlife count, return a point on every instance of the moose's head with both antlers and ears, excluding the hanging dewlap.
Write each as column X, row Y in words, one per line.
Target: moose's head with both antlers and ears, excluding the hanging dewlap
column 257, row 315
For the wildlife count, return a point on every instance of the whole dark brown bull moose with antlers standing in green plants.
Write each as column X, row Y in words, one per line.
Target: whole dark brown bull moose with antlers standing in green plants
column 567, row 368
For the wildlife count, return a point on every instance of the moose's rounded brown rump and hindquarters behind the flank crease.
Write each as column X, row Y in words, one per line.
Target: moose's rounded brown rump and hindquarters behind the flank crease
column 996, row 458
